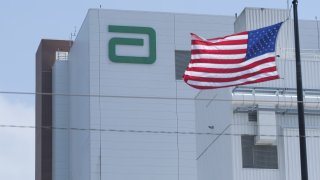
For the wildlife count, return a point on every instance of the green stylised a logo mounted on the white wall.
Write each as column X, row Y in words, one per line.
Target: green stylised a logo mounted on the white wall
column 132, row 42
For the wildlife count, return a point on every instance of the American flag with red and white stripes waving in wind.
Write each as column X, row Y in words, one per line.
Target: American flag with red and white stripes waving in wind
column 238, row 59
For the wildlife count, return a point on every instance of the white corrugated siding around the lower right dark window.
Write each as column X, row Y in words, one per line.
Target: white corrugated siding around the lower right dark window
column 288, row 148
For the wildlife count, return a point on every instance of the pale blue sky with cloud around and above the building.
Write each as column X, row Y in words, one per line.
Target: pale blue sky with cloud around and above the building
column 24, row 23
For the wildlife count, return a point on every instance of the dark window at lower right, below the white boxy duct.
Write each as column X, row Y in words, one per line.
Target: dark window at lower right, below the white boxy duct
column 258, row 156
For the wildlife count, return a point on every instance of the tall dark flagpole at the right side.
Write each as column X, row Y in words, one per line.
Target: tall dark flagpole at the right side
column 302, row 133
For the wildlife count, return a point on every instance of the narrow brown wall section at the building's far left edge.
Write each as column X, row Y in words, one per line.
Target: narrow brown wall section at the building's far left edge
column 46, row 56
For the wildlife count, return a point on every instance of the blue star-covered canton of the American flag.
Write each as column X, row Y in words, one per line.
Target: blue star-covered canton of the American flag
column 262, row 41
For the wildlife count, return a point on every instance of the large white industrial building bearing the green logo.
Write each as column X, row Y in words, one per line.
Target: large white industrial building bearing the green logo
column 119, row 102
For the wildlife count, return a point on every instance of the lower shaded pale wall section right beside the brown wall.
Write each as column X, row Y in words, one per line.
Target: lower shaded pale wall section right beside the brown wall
column 60, row 119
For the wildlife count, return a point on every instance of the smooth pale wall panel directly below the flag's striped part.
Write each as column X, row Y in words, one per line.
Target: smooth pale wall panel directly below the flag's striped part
column 214, row 152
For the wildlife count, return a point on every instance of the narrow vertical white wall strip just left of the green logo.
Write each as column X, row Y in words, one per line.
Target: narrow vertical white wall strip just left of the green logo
column 94, row 85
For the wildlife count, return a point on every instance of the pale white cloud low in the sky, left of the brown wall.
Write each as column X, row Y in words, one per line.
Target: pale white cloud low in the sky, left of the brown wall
column 17, row 145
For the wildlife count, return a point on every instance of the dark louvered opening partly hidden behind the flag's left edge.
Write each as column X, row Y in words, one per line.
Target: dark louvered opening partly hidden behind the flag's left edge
column 182, row 59
